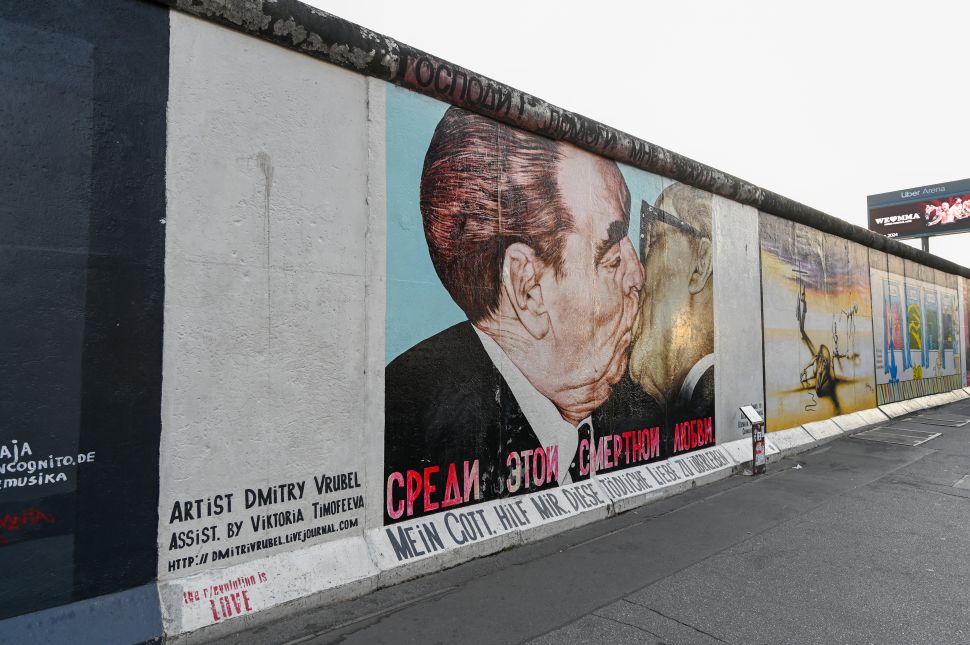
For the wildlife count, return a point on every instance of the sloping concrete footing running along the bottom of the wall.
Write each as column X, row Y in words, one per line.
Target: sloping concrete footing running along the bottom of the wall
column 135, row 615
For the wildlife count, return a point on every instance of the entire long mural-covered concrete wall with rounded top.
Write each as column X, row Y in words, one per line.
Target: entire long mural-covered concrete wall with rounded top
column 295, row 311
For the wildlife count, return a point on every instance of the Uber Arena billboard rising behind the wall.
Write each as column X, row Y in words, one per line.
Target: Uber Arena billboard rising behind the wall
column 939, row 209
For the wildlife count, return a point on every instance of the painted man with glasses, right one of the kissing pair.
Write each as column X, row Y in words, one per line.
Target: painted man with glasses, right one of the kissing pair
column 670, row 380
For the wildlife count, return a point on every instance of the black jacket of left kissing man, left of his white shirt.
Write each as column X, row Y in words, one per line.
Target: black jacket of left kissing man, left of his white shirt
column 446, row 403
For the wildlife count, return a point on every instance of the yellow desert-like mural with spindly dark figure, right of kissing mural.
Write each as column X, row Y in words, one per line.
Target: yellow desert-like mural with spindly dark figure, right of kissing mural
column 817, row 324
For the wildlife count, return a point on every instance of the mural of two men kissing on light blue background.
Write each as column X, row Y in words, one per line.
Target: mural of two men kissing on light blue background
column 558, row 321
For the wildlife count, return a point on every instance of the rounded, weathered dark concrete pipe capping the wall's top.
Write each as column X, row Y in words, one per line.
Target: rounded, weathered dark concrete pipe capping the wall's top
column 296, row 26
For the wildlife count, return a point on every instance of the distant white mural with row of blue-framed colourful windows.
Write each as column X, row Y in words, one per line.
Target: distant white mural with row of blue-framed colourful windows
column 916, row 324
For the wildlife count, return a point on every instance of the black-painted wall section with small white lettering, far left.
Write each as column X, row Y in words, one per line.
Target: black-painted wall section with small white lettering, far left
column 82, row 241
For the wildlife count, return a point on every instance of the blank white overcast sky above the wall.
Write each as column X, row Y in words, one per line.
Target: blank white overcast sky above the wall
column 823, row 102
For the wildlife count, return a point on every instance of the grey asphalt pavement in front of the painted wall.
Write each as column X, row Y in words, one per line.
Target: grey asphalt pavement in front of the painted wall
column 858, row 541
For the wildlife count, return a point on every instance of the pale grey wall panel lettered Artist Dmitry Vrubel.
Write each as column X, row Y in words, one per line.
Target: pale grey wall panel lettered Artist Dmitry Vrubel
column 264, row 398
